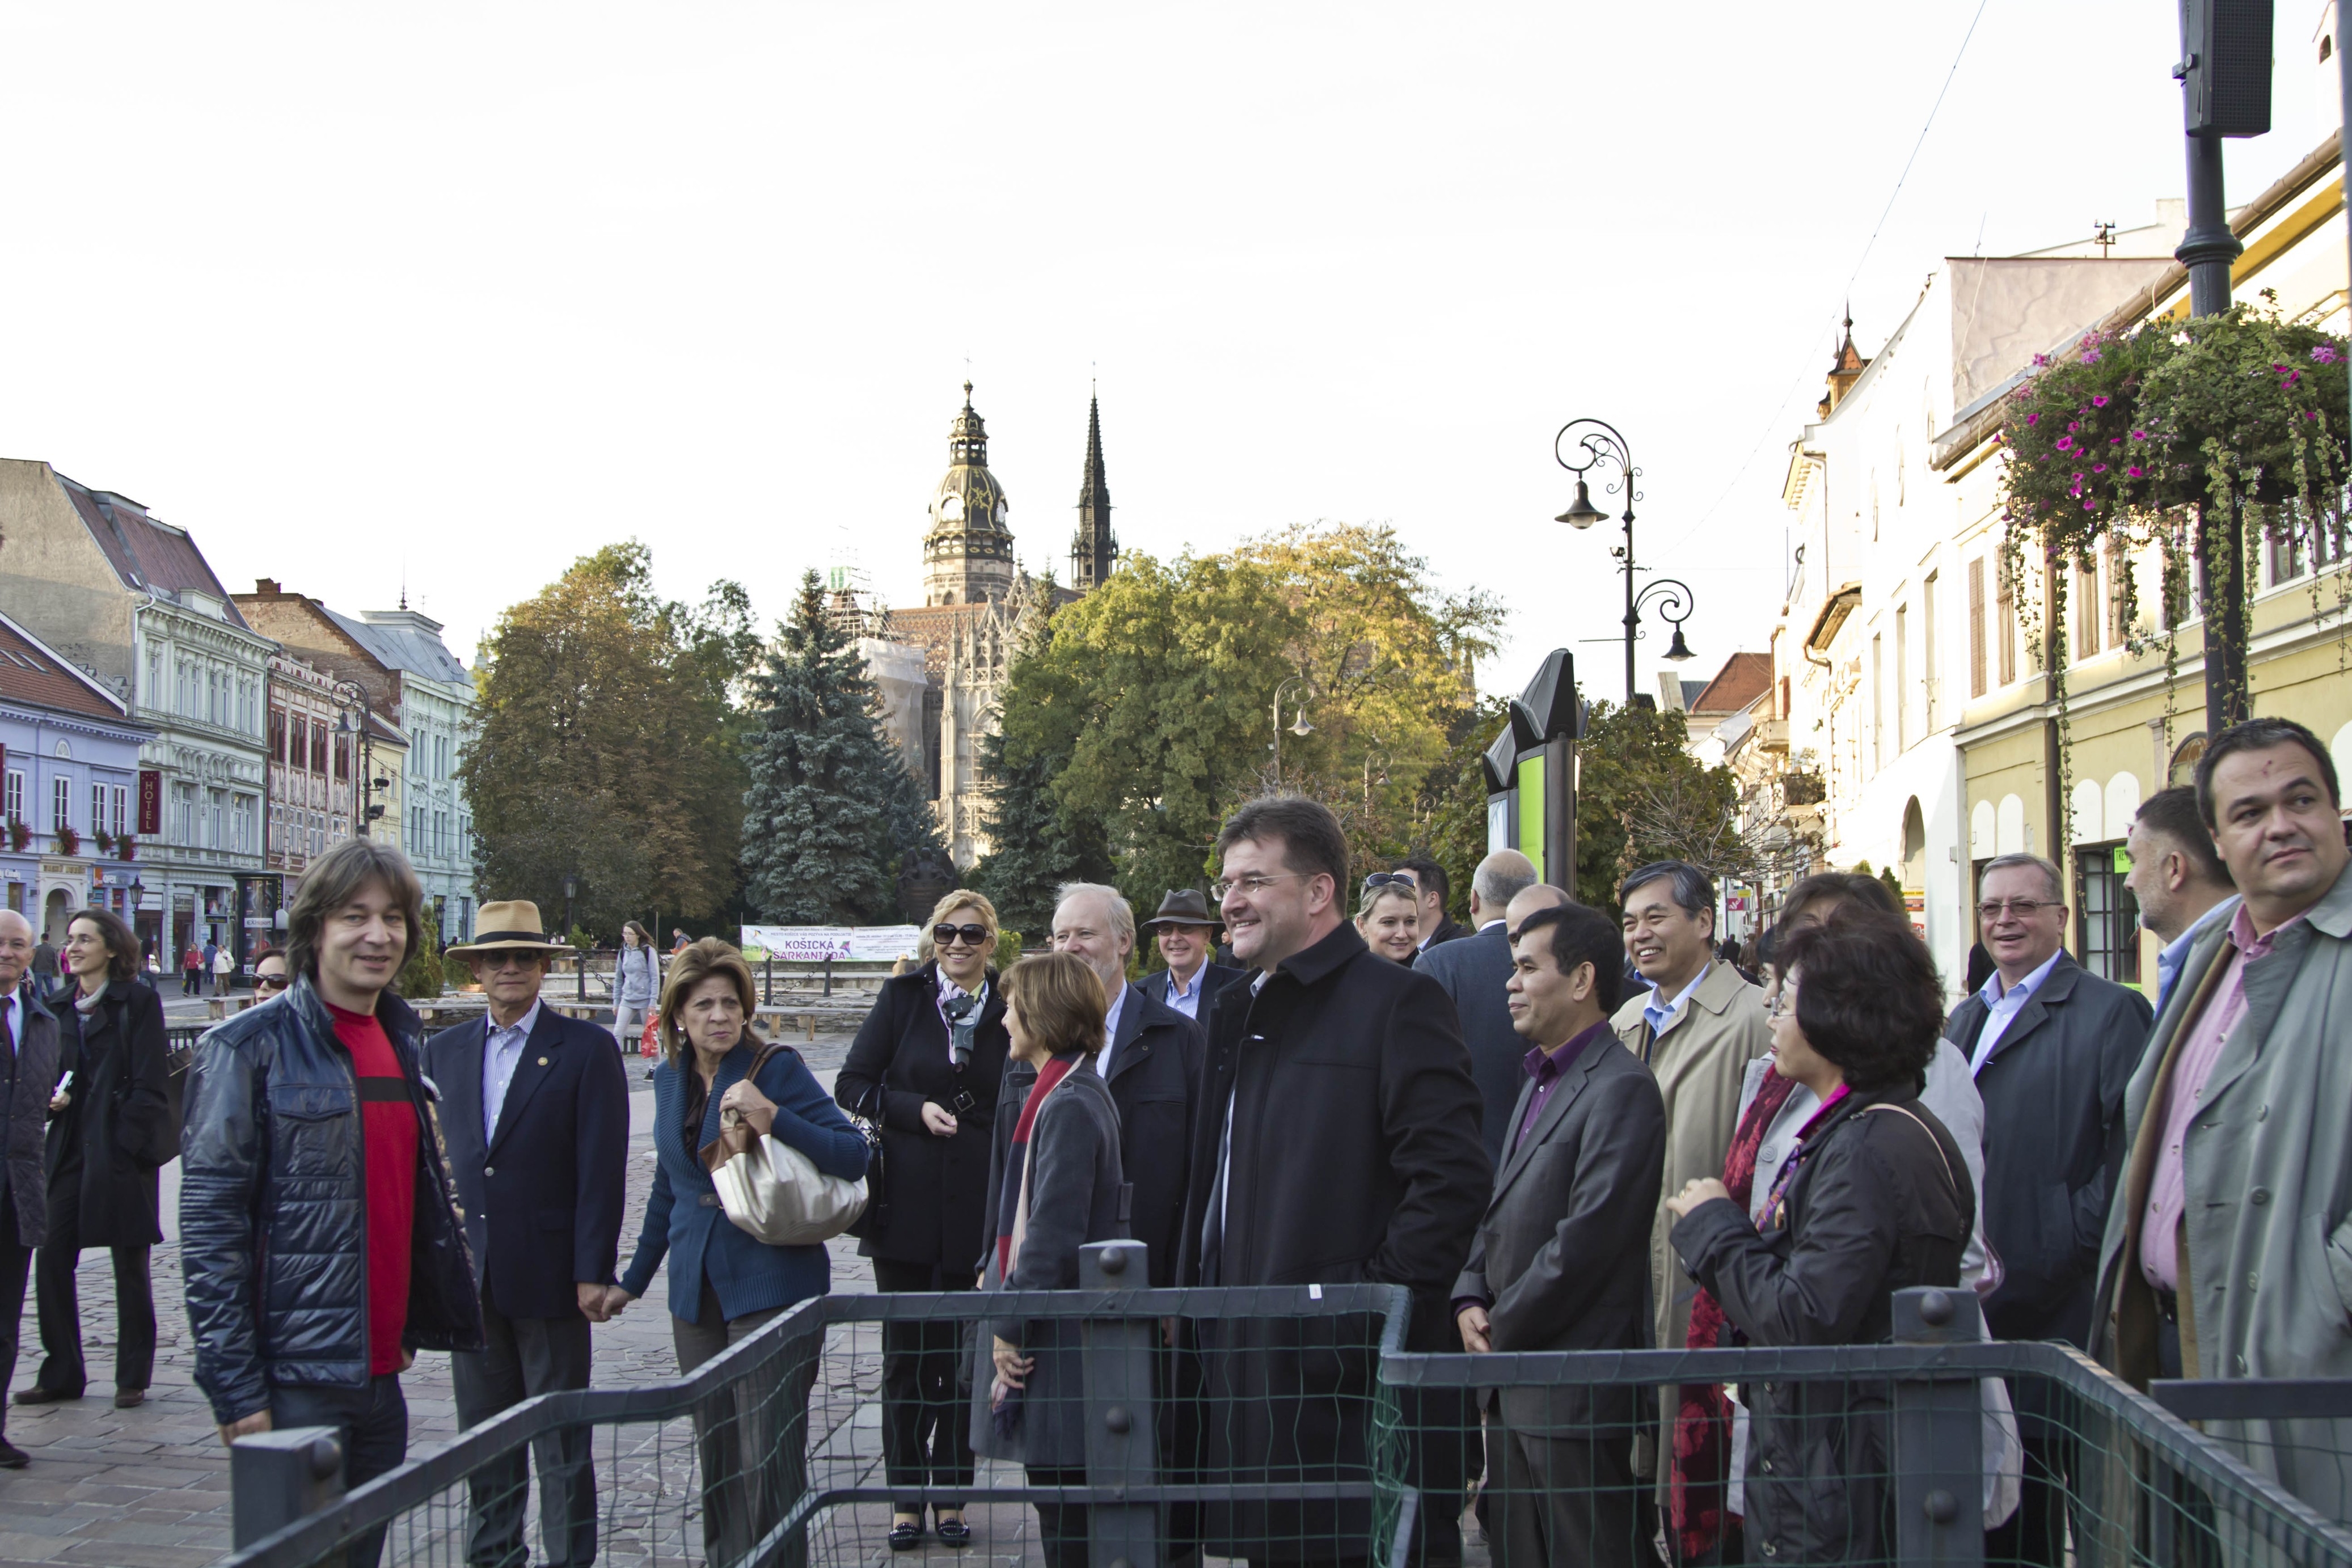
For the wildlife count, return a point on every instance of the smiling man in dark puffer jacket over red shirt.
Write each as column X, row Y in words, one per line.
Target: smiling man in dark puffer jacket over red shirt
column 319, row 1228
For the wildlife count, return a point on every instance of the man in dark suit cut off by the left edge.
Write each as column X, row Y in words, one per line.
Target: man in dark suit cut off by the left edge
column 29, row 1068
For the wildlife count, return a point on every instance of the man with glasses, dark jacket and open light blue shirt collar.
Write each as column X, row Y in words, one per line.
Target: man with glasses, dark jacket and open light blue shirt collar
column 2052, row 1050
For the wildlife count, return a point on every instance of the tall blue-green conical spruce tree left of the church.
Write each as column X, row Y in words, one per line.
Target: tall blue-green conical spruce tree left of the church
column 817, row 824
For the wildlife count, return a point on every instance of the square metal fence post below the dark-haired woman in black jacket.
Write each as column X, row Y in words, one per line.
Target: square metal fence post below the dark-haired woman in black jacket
column 1939, row 1452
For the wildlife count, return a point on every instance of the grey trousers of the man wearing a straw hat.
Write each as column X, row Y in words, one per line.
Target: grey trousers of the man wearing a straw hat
column 523, row 1358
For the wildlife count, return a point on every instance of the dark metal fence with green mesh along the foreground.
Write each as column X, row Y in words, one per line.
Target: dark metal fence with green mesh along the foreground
column 1288, row 1426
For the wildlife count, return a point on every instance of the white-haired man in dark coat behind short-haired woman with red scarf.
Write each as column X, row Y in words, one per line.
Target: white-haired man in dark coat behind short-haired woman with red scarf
column 1149, row 1057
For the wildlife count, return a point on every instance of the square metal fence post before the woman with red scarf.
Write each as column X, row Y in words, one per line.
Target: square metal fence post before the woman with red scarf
column 1123, row 1445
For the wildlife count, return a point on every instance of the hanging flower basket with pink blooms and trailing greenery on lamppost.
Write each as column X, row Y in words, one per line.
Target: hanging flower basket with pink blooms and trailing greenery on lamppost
column 2170, row 436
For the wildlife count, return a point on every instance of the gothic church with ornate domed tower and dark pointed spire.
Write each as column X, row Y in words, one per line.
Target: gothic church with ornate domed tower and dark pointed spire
column 942, row 666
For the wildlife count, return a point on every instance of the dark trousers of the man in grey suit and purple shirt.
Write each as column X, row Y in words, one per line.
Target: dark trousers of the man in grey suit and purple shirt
column 1568, row 1501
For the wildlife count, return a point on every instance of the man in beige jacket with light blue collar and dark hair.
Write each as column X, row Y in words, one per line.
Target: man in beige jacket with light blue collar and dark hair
column 1697, row 1026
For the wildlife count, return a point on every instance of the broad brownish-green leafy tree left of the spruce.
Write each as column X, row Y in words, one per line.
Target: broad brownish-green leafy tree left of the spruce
column 606, row 744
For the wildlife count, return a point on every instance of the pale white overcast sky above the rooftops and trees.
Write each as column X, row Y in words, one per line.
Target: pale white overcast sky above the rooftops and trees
column 462, row 293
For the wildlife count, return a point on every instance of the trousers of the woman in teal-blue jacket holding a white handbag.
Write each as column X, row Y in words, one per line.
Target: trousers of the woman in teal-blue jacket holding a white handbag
column 751, row 1442
